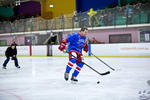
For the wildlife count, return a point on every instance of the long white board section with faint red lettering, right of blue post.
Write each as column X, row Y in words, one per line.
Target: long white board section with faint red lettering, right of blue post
column 126, row 49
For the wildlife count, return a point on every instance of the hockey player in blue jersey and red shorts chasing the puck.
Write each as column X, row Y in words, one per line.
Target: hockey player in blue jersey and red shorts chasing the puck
column 76, row 43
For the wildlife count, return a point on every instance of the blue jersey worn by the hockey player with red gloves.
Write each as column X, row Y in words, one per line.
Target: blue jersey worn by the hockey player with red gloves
column 75, row 42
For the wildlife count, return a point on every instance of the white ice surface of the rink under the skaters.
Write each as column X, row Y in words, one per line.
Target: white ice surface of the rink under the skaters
column 41, row 78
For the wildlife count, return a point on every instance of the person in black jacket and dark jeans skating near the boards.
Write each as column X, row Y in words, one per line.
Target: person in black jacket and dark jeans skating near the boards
column 11, row 53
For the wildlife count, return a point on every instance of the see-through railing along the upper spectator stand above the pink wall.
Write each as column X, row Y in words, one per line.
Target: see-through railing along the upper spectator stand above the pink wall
column 126, row 15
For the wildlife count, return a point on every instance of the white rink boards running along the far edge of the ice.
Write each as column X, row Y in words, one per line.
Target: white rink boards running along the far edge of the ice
column 109, row 50
